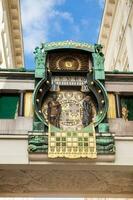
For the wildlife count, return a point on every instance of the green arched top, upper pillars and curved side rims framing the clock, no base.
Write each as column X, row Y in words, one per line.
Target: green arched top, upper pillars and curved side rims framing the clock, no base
column 98, row 71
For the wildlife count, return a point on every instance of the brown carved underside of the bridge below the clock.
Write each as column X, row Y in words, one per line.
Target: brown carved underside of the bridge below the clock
column 57, row 181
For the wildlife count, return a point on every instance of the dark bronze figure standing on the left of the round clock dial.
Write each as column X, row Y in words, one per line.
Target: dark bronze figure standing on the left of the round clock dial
column 54, row 111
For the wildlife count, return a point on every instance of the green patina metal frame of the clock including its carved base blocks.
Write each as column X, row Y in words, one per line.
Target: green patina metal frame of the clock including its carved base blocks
column 39, row 143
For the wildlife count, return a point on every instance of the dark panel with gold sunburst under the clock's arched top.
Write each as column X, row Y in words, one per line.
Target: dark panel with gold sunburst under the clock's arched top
column 69, row 61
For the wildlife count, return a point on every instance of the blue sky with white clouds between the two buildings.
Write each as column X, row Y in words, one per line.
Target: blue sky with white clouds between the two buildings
column 58, row 20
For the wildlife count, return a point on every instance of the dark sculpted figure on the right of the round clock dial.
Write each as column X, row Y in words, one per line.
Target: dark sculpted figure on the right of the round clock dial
column 87, row 111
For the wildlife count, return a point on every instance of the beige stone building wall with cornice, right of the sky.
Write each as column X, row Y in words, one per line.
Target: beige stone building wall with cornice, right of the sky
column 116, row 35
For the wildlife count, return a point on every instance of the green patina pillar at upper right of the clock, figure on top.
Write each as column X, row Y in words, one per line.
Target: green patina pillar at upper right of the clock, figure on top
column 98, row 61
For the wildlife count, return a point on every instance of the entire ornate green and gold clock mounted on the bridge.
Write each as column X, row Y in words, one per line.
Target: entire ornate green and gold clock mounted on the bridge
column 70, row 102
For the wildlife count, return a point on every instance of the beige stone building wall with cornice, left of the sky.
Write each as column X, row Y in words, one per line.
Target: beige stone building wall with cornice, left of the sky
column 11, row 44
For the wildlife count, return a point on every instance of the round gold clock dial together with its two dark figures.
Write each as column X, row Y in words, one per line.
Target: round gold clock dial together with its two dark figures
column 70, row 110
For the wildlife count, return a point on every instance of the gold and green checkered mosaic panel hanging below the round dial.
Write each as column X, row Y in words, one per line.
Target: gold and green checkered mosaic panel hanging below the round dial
column 72, row 144
